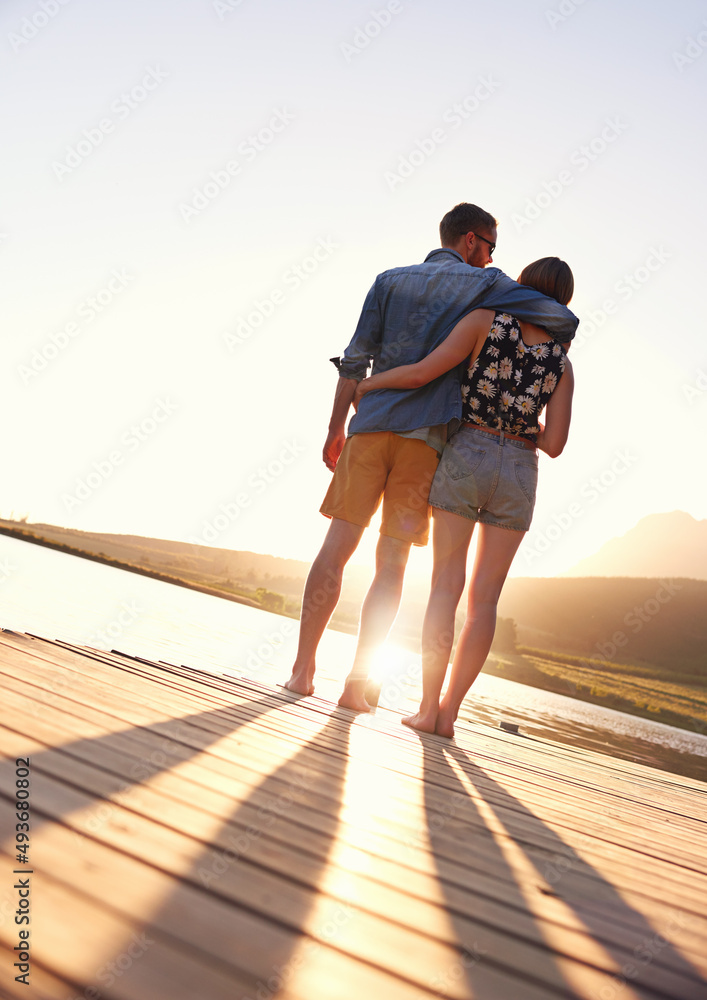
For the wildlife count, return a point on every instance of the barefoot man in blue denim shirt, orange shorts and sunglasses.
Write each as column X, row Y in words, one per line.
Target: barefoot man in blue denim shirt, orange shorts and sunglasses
column 395, row 438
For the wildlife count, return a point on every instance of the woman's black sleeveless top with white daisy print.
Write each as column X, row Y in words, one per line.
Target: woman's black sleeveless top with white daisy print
column 510, row 382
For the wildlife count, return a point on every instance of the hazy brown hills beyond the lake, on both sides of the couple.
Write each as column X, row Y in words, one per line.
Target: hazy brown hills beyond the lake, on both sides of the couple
column 657, row 622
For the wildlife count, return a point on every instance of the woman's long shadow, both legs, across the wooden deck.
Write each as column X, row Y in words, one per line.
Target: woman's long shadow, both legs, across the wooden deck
column 627, row 937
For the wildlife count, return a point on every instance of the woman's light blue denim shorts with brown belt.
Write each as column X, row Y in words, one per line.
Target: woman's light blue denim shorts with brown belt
column 486, row 478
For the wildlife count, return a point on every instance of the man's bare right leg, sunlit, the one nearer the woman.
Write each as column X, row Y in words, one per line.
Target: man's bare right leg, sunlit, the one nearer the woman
column 377, row 616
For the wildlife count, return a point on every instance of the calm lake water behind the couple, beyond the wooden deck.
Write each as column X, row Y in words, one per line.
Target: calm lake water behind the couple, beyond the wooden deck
column 58, row 596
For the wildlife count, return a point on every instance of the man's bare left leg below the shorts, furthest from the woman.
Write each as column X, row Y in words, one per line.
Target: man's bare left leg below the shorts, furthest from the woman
column 321, row 594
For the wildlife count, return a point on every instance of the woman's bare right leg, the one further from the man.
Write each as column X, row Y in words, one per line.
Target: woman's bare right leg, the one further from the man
column 494, row 555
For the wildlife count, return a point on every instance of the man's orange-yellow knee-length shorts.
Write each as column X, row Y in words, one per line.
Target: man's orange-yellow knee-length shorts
column 384, row 465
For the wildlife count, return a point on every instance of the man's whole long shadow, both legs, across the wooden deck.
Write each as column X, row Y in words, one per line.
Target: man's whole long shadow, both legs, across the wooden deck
column 241, row 871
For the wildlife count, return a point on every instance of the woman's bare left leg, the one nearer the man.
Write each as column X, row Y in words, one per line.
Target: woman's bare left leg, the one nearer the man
column 451, row 535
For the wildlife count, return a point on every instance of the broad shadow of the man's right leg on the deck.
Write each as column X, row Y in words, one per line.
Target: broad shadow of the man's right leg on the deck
column 266, row 863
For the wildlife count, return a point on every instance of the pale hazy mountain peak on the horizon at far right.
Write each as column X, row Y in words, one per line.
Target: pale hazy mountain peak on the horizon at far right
column 660, row 545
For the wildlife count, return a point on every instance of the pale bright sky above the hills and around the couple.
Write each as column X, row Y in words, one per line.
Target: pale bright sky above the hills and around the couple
column 198, row 195
